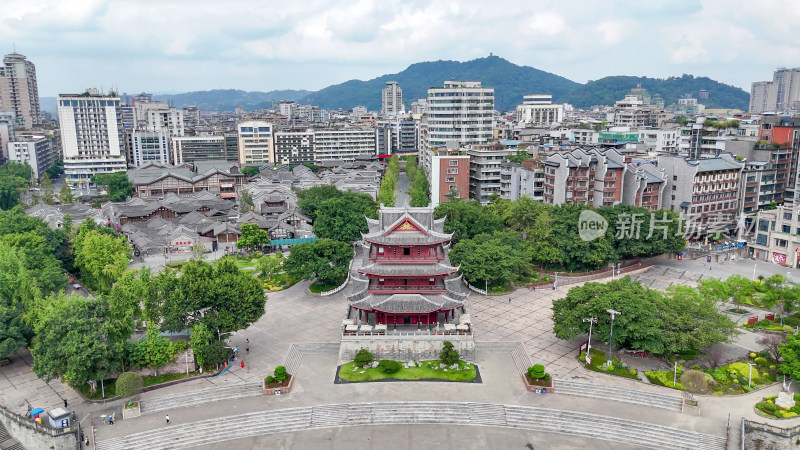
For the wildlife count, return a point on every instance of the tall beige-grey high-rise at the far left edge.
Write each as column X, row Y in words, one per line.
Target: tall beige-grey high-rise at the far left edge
column 18, row 90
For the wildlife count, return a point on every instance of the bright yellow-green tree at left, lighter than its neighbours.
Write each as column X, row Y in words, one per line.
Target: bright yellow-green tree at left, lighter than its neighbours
column 102, row 258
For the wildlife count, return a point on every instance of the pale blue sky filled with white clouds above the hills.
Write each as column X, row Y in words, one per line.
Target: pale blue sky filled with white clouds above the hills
column 163, row 45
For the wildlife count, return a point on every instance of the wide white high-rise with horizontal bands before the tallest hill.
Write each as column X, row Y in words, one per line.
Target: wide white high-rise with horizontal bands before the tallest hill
column 459, row 111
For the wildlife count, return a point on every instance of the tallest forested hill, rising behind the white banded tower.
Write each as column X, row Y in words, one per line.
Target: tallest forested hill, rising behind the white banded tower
column 510, row 83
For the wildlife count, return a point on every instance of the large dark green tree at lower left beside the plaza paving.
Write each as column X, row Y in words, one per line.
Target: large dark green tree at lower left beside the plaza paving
column 71, row 341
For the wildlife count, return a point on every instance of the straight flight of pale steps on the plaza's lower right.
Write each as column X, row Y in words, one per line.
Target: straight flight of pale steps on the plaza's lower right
column 620, row 394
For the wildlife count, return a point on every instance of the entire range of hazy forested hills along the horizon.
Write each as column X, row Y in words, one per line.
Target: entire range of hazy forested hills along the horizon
column 510, row 82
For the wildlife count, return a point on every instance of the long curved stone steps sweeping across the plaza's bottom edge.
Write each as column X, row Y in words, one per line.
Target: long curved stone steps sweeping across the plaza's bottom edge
column 533, row 419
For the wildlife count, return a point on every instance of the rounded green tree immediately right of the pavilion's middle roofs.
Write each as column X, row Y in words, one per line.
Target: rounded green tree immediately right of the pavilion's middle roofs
column 494, row 258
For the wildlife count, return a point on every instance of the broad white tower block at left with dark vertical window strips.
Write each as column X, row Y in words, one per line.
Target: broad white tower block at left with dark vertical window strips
column 90, row 135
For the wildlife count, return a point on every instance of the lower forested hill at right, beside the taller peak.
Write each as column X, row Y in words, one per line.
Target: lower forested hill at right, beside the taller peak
column 606, row 91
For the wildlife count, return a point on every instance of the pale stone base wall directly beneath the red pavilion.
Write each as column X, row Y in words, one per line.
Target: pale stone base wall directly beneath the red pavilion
column 405, row 348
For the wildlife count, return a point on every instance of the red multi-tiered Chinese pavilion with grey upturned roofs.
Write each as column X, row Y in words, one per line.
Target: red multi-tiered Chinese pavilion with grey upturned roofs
column 406, row 277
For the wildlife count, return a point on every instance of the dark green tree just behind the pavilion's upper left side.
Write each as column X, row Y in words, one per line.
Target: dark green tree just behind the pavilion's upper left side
column 343, row 218
